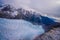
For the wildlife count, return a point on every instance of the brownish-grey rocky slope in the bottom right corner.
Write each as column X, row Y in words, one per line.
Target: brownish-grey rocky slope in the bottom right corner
column 51, row 35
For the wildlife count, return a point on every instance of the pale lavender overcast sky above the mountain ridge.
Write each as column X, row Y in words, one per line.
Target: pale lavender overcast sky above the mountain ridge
column 46, row 7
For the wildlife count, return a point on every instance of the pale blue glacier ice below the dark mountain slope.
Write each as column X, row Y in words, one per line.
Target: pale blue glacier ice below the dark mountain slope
column 19, row 29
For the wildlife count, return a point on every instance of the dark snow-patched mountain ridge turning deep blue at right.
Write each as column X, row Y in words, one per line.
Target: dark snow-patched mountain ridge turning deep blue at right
column 10, row 12
